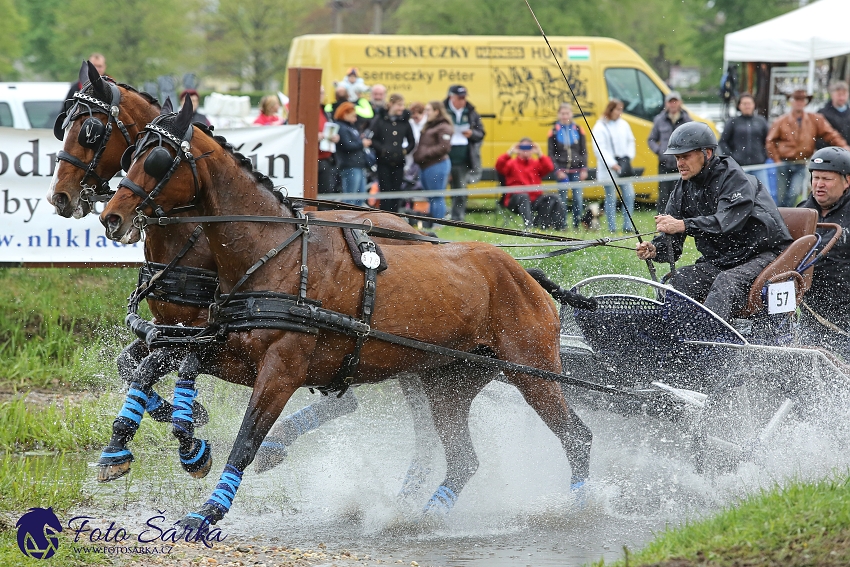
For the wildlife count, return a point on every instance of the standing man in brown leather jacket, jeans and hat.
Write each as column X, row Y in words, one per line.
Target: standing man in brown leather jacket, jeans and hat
column 792, row 138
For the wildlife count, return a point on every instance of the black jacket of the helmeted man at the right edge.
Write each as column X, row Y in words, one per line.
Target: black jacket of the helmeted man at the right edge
column 830, row 291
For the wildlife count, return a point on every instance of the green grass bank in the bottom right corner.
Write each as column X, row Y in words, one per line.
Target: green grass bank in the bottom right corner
column 794, row 525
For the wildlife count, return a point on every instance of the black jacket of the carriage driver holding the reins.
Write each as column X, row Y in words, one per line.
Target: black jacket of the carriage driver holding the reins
column 730, row 215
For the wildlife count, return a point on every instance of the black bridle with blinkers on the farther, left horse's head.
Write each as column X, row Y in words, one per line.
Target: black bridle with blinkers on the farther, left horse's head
column 94, row 134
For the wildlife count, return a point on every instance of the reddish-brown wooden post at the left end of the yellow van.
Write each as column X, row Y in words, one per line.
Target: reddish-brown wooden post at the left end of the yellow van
column 304, row 107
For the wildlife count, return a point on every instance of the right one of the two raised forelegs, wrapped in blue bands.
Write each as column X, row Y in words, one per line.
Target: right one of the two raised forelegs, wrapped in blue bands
column 195, row 454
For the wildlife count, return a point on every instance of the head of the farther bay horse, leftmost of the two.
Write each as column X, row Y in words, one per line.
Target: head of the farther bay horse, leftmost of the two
column 96, row 125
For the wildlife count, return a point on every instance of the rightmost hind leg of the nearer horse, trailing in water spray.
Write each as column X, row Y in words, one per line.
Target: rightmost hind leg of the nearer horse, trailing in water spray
column 547, row 399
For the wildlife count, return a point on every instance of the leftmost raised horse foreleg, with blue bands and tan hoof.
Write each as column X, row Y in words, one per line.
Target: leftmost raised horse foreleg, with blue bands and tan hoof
column 115, row 459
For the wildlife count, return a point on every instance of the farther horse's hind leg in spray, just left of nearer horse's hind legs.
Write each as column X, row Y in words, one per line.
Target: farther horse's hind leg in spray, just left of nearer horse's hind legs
column 423, row 424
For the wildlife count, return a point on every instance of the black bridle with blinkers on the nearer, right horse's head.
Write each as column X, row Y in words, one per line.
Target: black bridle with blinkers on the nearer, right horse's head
column 160, row 165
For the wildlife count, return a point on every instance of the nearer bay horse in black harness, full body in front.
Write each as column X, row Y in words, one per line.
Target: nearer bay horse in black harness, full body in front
column 470, row 296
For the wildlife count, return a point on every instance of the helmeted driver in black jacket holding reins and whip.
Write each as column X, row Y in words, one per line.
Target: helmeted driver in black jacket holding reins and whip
column 734, row 222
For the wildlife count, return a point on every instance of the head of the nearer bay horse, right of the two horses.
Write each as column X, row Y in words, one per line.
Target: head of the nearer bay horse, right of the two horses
column 165, row 155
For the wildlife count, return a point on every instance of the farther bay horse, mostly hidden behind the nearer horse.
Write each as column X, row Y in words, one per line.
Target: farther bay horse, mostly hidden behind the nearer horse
column 97, row 128
